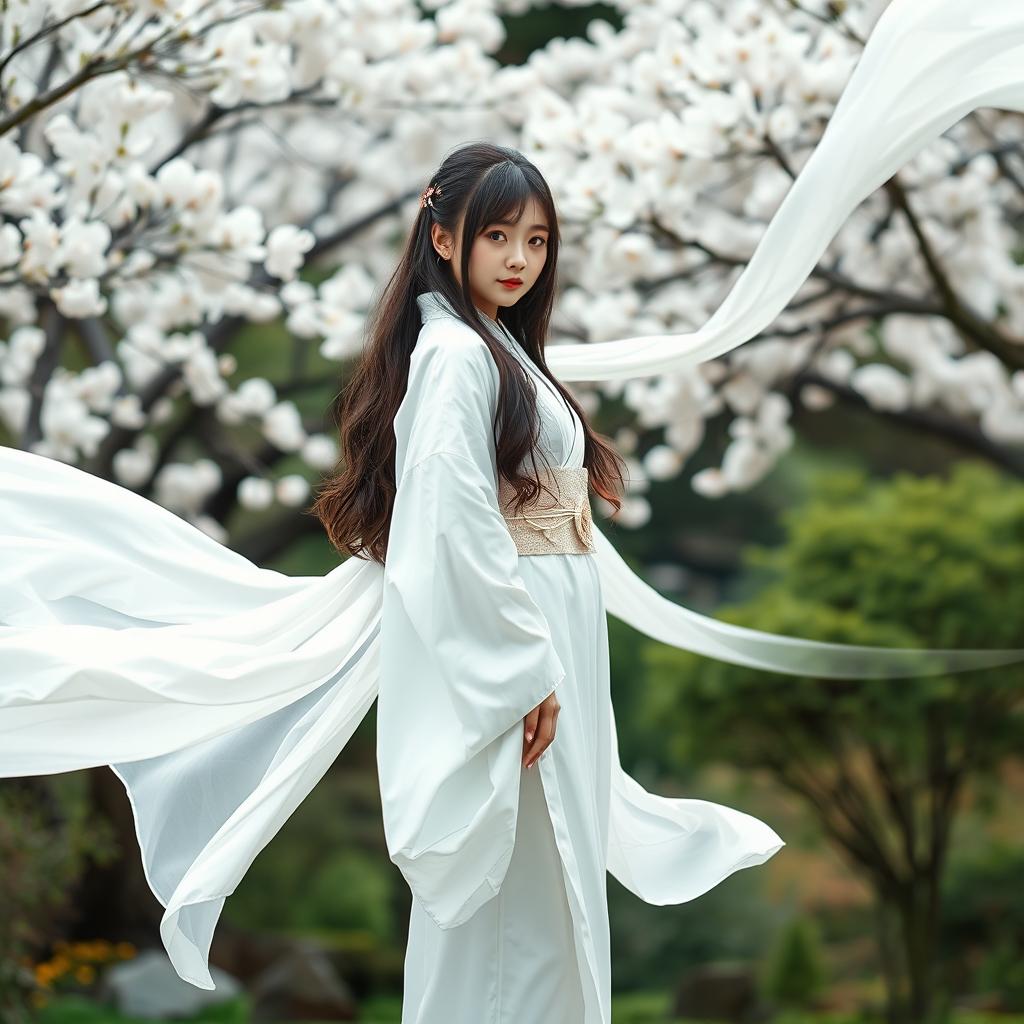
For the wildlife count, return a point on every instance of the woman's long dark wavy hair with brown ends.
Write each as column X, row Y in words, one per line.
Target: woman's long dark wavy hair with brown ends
column 490, row 184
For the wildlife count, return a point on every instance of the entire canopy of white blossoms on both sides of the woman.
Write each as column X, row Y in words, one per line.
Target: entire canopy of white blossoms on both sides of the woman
column 169, row 167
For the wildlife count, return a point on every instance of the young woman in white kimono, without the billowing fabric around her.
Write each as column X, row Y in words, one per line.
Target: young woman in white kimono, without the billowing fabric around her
column 494, row 728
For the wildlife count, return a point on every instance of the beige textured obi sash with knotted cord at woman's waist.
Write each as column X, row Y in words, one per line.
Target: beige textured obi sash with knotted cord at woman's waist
column 551, row 528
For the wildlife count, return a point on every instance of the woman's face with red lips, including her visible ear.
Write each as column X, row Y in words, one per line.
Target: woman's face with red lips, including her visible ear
column 500, row 252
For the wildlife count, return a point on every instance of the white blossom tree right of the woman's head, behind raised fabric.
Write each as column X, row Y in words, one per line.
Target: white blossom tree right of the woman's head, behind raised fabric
column 675, row 141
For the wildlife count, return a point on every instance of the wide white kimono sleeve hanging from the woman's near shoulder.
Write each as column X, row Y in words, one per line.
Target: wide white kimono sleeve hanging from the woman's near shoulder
column 466, row 654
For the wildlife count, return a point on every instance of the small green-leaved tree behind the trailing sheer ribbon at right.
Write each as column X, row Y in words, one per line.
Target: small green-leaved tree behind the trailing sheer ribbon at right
column 910, row 563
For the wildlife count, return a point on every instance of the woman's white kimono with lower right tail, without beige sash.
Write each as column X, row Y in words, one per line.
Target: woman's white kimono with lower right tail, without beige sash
column 509, row 919
